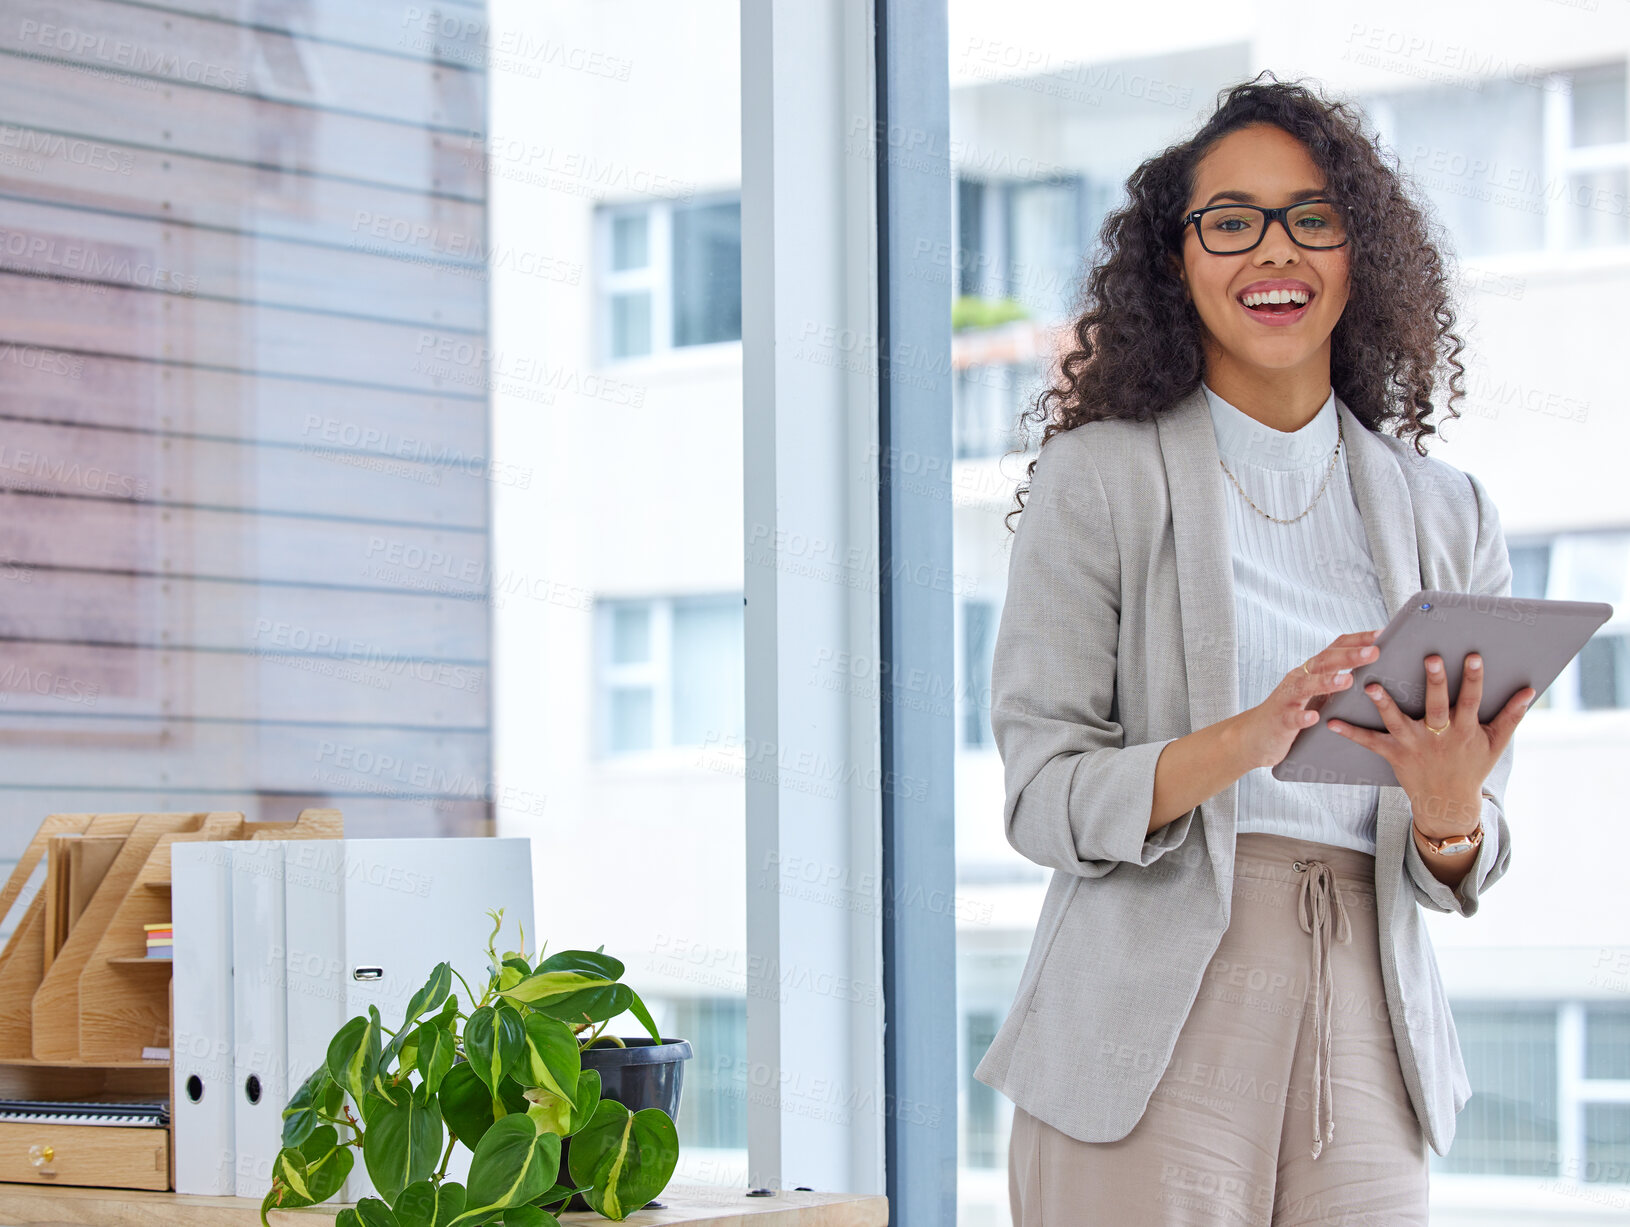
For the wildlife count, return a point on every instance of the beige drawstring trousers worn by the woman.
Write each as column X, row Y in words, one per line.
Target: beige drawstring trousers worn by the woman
column 1284, row 1102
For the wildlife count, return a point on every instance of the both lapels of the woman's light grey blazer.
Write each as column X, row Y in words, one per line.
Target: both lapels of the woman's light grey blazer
column 1205, row 576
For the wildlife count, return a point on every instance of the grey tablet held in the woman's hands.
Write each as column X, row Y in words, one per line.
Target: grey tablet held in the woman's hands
column 1523, row 643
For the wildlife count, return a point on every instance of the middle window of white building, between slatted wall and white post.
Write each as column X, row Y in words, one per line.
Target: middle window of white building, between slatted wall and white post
column 671, row 674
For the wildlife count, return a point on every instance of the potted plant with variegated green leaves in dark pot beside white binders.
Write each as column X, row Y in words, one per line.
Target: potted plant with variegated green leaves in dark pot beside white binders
column 518, row 1076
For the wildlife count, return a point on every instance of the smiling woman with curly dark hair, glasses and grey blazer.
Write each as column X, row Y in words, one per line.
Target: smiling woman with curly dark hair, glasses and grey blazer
column 1225, row 962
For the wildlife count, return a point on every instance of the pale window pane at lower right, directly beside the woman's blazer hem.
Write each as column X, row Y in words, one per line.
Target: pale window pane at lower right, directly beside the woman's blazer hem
column 1509, row 1128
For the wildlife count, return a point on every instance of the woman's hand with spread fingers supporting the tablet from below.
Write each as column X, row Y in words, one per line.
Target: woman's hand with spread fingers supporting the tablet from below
column 1443, row 773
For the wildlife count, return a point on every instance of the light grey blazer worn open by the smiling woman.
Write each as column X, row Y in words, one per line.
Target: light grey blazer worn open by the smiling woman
column 1119, row 638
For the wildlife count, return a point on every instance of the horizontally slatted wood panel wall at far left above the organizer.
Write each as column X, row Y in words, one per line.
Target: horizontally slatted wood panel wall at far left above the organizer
column 244, row 418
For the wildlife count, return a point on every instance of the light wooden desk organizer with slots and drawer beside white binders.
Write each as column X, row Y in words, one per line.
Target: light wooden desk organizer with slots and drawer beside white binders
column 81, row 1027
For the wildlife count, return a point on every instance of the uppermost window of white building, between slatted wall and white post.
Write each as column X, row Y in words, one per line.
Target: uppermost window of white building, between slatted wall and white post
column 671, row 276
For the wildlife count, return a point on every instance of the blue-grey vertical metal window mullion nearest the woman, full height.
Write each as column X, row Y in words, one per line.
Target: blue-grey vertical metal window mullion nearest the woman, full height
column 919, row 618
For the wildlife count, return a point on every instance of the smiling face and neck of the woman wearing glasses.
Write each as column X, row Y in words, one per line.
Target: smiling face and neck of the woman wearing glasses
column 1277, row 359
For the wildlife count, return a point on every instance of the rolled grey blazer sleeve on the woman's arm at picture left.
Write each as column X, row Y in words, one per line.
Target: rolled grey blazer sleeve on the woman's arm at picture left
column 1077, row 798
